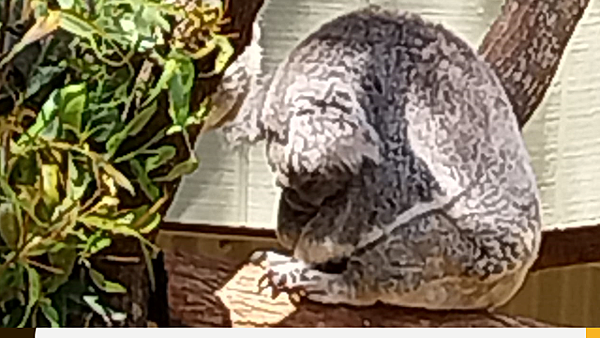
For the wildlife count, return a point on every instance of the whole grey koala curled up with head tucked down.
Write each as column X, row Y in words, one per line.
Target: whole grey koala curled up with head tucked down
column 404, row 175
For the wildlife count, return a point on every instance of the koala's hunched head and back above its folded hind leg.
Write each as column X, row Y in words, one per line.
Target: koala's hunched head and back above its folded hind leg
column 397, row 117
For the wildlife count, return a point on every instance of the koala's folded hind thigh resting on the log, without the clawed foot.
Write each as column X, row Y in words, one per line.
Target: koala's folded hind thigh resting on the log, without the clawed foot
column 478, row 261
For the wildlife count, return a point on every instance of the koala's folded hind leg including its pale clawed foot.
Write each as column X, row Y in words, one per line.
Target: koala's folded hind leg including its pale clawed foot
column 431, row 262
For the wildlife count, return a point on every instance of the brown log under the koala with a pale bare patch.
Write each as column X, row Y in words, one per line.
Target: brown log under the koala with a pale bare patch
column 209, row 291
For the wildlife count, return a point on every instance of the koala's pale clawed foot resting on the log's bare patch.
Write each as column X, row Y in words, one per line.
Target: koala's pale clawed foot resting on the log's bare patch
column 287, row 274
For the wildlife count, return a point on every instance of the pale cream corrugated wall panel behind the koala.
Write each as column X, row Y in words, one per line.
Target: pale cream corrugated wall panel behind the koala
column 563, row 137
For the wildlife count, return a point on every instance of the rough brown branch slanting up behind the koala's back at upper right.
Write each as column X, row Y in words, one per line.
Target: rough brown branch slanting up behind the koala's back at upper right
column 525, row 45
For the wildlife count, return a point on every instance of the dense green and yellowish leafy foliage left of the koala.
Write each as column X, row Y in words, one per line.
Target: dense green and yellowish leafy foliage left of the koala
column 66, row 162
